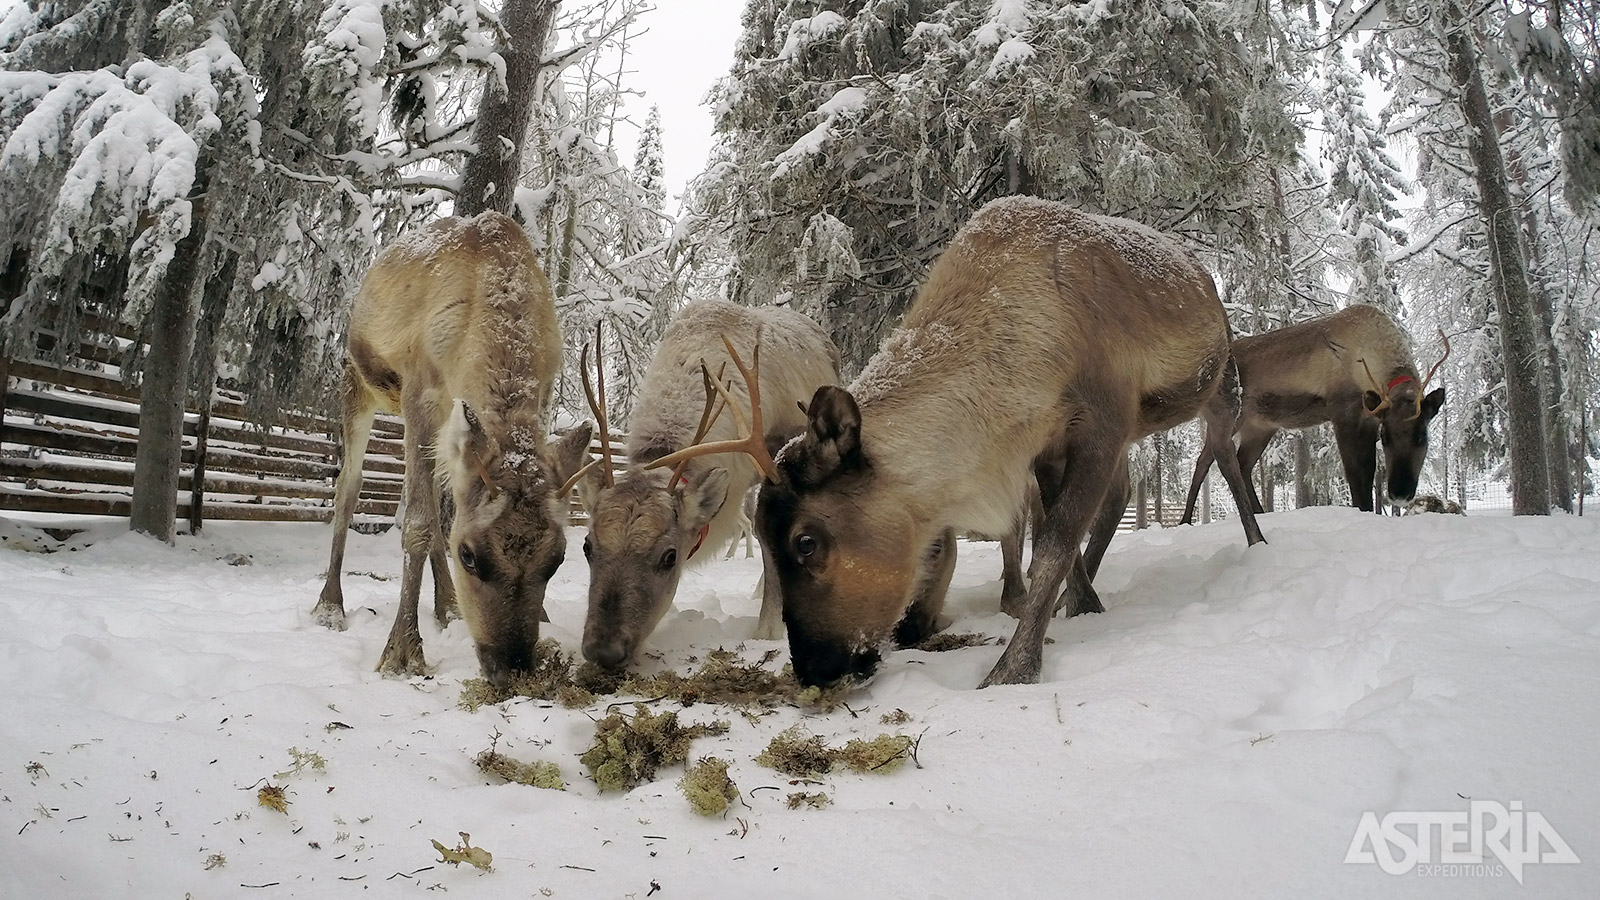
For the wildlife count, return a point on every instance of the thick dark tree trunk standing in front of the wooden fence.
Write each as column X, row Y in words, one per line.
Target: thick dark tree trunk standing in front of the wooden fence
column 166, row 385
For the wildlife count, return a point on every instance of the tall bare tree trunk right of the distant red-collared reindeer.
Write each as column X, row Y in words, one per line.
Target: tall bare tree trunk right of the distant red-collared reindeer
column 1530, row 480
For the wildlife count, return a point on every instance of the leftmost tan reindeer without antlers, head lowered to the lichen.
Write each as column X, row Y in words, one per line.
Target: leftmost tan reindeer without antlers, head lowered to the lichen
column 455, row 329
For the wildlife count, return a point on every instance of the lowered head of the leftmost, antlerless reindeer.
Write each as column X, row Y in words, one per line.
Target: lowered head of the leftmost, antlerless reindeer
column 505, row 529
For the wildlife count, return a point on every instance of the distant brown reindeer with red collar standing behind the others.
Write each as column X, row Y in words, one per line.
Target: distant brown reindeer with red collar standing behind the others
column 1353, row 369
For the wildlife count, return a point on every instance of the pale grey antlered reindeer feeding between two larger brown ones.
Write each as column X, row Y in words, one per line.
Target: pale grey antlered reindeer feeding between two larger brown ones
column 654, row 521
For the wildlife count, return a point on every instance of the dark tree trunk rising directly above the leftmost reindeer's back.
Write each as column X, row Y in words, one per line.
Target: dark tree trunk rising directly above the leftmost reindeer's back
column 489, row 182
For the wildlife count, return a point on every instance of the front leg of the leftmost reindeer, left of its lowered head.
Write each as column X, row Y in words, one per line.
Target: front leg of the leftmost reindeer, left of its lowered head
column 404, row 653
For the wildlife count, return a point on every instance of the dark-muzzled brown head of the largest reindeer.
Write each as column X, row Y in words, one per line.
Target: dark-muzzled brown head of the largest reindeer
column 847, row 550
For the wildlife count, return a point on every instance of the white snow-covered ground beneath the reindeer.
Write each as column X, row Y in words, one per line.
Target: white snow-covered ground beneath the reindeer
column 1218, row 733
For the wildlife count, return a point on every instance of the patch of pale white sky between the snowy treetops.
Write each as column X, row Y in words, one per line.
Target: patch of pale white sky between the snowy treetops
column 687, row 47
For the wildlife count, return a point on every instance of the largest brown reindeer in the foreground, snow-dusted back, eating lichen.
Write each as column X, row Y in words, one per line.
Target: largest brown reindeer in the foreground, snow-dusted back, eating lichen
column 1044, row 337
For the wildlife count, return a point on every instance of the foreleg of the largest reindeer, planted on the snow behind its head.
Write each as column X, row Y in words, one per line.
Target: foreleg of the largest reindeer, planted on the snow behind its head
column 1095, row 451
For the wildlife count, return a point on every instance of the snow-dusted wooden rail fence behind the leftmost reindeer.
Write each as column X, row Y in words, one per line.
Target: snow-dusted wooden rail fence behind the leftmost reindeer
column 68, row 440
